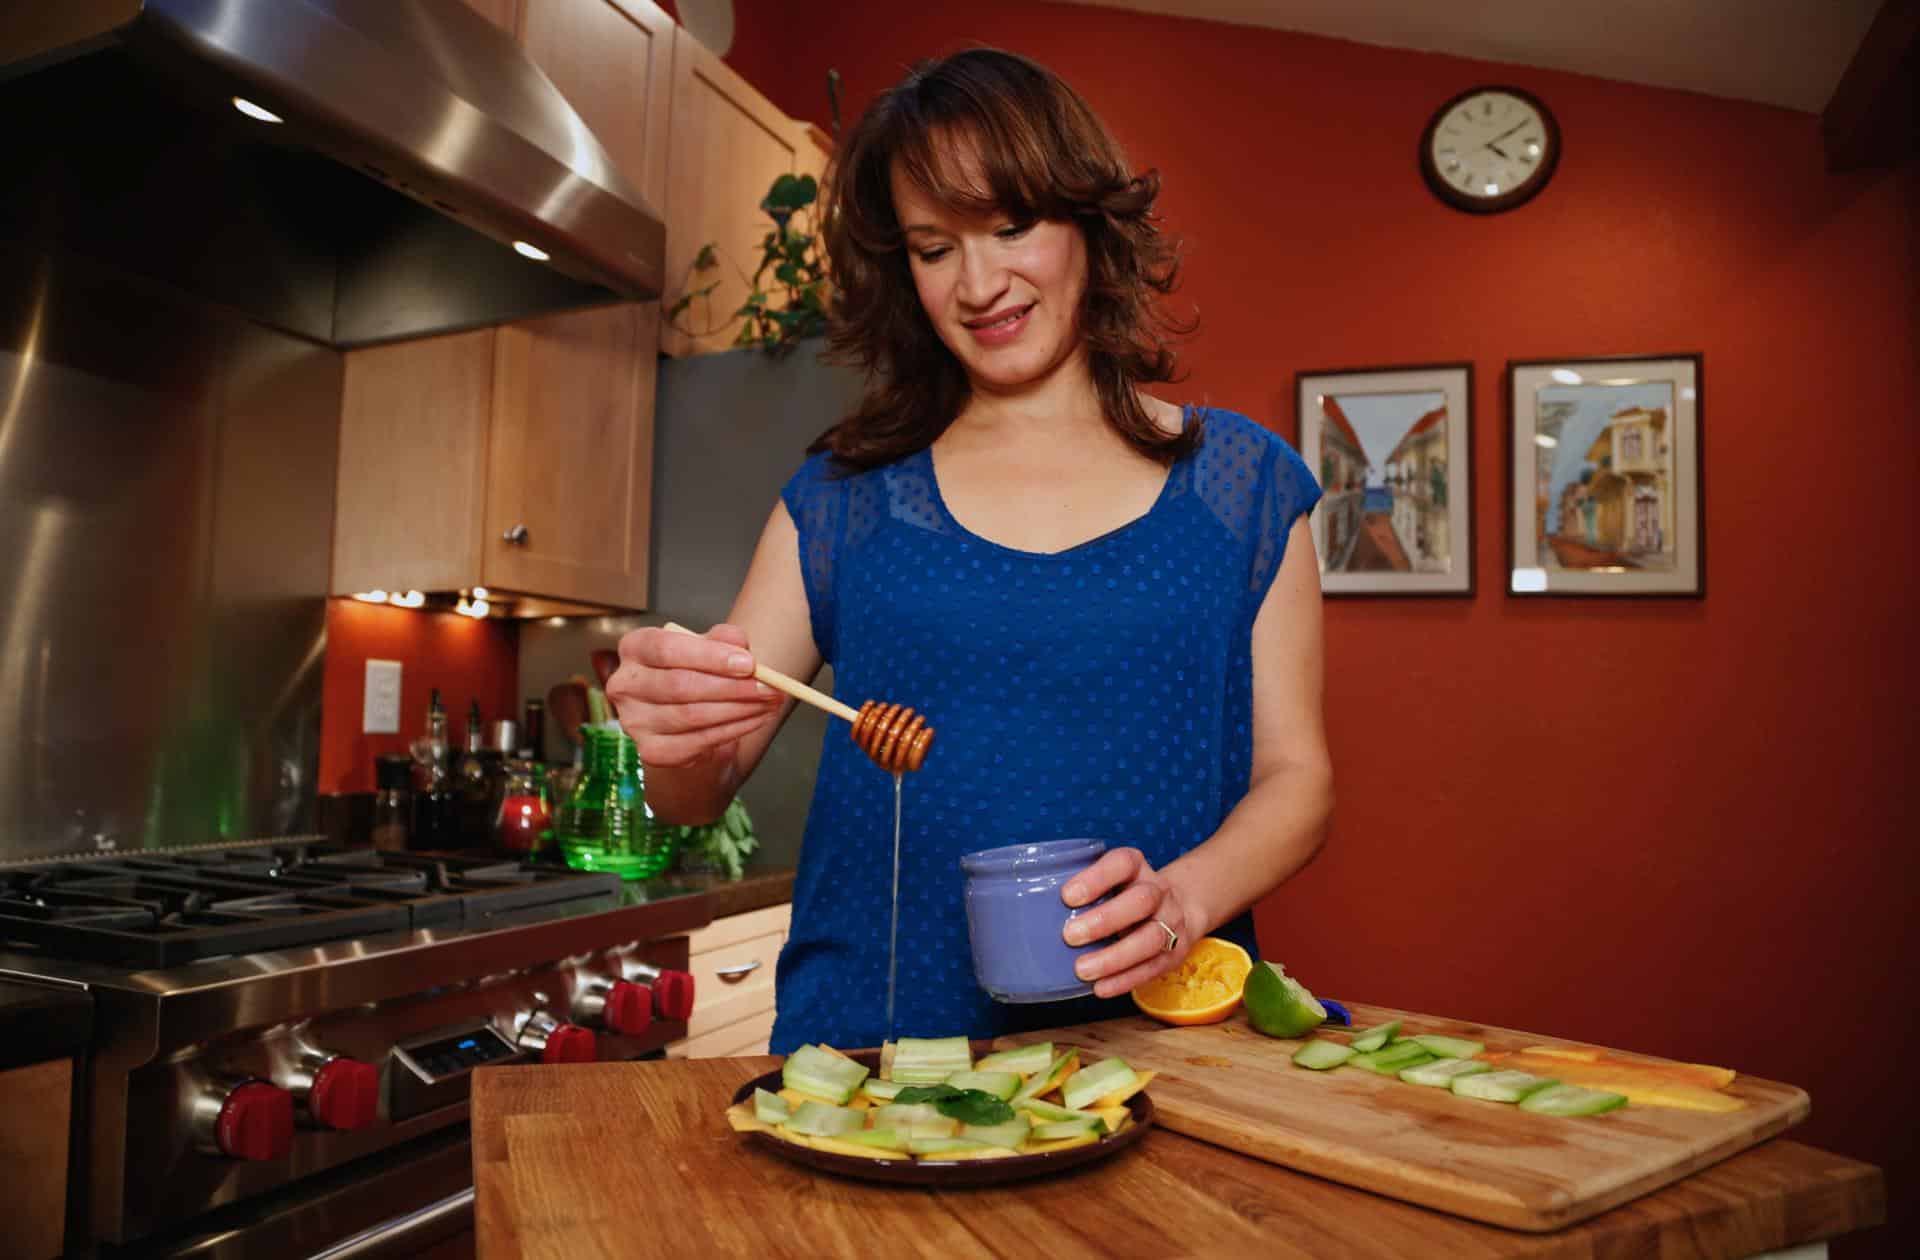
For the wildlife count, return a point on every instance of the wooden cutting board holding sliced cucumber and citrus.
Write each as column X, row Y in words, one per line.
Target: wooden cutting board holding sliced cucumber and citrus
column 1236, row 1088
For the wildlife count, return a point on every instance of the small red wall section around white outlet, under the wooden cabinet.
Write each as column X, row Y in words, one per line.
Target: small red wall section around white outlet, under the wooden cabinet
column 460, row 656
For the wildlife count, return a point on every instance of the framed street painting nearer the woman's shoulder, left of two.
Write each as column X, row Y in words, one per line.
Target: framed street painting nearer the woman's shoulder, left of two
column 1393, row 450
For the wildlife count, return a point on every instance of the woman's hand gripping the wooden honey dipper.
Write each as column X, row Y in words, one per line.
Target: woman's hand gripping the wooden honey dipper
column 688, row 700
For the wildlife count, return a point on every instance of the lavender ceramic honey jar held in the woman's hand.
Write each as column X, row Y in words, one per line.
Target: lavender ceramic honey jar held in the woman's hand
column 1015, row 917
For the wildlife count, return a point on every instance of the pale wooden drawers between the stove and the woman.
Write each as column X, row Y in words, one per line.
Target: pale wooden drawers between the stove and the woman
column 732, row 961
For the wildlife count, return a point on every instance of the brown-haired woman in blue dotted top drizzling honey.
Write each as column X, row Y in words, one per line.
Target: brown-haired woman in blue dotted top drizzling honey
column 1107, row 606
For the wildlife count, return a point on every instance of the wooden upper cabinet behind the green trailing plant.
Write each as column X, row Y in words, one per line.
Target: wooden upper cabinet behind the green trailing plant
column 727, row 147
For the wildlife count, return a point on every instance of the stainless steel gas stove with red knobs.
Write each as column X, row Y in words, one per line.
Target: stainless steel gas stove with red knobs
column 297, row 1017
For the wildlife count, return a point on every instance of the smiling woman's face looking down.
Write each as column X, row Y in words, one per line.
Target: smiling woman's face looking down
column 1003, row 297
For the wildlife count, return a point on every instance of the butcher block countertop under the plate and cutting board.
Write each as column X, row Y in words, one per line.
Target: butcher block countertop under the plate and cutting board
column 636, row 1159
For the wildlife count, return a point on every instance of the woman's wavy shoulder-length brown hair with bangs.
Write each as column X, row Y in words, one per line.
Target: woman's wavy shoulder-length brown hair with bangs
column 1044, row 155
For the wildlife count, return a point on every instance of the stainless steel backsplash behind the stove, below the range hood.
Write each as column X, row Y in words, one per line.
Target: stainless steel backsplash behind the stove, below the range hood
column 166, row 520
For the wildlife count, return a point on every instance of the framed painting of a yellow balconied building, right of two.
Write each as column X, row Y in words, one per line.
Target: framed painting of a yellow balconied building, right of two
column 1606, row 485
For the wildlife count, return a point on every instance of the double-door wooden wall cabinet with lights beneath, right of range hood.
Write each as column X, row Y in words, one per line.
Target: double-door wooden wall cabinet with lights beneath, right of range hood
column 516, row 458
